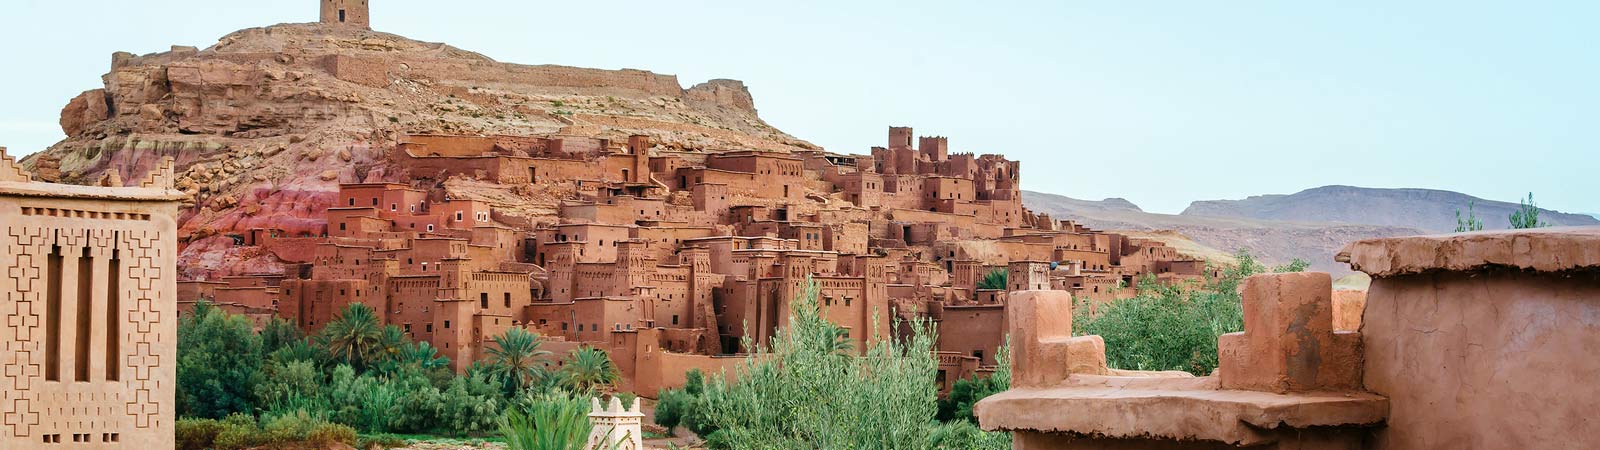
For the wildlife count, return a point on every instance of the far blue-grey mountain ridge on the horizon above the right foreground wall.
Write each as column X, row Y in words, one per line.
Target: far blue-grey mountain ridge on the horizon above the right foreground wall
column 1422, row 209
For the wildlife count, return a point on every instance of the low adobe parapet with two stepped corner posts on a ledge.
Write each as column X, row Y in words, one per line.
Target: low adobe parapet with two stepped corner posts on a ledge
column 1286, row 382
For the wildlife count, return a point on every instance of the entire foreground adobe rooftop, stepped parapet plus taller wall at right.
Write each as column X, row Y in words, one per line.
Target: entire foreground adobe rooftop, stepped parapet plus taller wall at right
column 1476, row 340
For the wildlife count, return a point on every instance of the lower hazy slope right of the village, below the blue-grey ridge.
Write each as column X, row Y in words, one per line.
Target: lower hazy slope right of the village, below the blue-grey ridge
column 1274, row 243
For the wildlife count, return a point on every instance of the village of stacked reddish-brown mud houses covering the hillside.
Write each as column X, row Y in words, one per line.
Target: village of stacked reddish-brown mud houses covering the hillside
column 671, row 259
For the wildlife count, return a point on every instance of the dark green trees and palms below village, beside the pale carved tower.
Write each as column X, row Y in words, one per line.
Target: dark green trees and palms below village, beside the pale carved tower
column 354, row 376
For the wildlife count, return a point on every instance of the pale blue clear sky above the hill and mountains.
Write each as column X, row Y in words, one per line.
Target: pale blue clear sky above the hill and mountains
column 1161, row 103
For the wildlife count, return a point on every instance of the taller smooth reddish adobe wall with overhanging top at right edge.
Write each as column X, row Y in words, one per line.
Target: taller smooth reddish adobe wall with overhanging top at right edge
column 1484, row 340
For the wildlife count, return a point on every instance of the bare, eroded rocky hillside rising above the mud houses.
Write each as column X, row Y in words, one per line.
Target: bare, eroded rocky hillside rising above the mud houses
column 268, row 123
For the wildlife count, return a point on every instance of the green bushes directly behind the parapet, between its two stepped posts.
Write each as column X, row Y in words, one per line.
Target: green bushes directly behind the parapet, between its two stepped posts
column 1174, row 327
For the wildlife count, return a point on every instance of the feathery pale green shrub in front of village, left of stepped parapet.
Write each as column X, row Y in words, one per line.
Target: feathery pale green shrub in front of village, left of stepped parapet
column 804, row 393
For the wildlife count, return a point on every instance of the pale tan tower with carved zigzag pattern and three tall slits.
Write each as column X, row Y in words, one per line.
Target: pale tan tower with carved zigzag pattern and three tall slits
column 90, row 289
